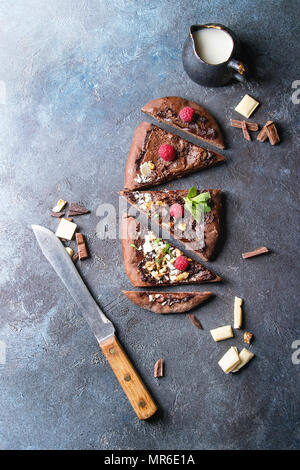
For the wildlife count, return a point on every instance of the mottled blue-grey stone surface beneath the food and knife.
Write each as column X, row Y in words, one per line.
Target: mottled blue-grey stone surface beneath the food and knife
column 76, row 74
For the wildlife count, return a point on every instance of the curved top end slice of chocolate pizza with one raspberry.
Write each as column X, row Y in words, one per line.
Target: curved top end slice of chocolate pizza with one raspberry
column 186, row 116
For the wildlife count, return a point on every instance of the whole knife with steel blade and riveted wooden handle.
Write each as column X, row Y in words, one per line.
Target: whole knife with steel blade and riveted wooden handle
column 133, row 386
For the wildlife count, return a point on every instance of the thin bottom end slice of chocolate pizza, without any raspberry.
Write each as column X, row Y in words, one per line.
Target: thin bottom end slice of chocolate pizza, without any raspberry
column 167, row 302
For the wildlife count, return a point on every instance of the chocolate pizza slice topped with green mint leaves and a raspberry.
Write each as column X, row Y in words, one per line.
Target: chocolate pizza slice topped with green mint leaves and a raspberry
column 192, row 217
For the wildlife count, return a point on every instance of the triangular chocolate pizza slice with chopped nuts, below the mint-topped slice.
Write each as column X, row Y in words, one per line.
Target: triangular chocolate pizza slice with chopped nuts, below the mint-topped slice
column 151, row 261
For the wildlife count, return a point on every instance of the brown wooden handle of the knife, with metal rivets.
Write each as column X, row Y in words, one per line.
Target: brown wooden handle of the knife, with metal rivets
column 139, row 397
